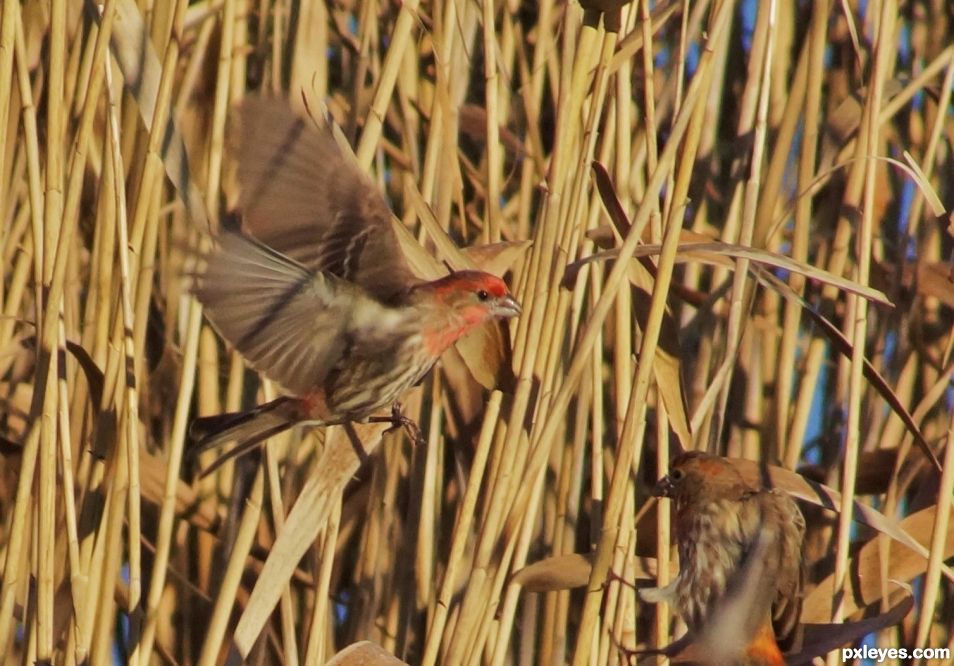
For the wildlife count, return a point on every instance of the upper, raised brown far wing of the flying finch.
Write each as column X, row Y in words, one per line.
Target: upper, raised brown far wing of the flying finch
column 303, row 197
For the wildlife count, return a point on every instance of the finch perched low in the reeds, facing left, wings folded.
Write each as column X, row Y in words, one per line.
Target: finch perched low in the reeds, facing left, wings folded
column 740, row 571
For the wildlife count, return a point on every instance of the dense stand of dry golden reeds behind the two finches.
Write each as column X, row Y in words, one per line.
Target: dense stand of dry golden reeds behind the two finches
column 772, row 135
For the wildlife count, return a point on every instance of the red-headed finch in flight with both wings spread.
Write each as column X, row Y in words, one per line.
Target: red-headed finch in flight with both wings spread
column 318, row 298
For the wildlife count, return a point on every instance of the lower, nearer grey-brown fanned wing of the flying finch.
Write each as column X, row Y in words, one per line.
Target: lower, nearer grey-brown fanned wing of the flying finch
column 289, row 323
